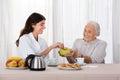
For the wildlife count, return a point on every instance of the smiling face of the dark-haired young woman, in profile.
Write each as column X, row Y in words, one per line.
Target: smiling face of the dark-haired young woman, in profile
column 39, row 27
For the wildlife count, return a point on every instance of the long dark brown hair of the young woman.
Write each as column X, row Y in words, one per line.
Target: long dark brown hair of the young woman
column 33, row 19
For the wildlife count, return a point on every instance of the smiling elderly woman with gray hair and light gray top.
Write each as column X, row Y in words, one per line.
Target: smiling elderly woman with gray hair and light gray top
column 89, row 47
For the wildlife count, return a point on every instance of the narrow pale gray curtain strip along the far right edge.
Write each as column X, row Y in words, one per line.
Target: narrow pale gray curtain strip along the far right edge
column 116, row 31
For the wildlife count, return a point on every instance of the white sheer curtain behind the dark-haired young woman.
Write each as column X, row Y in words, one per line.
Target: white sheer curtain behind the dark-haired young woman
column 14, row 14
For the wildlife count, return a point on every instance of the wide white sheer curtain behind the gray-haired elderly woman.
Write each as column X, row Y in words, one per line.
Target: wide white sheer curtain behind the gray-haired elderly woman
column 72, row 15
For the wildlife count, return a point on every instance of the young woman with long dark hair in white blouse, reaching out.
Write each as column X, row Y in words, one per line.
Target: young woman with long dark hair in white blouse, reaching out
column 30, row 42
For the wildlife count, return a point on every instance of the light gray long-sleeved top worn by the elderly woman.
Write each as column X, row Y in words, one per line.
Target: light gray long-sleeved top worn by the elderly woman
column 95, row 49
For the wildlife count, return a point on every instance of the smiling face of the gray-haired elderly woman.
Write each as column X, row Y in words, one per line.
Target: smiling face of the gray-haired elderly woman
column 89, row 33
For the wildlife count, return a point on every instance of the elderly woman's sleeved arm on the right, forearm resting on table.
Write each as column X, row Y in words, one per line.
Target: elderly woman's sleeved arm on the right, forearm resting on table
column 98, row 54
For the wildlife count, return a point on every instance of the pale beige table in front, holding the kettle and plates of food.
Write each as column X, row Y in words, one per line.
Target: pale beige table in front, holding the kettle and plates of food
column 88, row 72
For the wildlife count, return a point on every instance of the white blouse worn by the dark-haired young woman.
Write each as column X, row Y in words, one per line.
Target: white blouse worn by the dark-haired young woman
column 28, row 45
